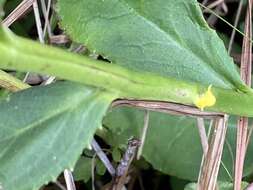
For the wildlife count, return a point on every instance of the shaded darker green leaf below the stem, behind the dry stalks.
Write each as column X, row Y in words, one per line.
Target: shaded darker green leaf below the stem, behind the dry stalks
column 172, row 144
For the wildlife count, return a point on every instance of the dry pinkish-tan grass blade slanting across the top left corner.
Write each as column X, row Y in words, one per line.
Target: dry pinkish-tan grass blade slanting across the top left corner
column 19, row 11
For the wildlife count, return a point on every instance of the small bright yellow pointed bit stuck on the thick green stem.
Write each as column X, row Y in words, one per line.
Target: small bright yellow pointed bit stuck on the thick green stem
column 207, row 99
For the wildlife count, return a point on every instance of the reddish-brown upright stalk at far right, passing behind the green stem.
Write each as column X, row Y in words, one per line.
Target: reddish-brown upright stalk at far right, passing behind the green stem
column 246, row 61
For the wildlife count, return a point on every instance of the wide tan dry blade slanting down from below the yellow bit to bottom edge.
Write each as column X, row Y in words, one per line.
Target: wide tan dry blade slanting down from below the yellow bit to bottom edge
column 210, row 168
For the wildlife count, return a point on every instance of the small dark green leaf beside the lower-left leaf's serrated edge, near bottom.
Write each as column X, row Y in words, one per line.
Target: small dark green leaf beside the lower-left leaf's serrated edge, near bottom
column 83, row 169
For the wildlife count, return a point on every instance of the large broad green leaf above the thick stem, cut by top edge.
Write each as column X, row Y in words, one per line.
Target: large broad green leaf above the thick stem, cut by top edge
column 166, row 37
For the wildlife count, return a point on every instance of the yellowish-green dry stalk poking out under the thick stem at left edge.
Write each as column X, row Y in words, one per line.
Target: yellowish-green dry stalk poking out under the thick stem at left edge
column 11, row 83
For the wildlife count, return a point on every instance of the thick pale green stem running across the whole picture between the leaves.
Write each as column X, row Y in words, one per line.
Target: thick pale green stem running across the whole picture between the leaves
column 24, row 55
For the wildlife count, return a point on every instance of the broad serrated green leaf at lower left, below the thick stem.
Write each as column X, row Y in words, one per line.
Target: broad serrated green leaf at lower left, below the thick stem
column 43, row 131
